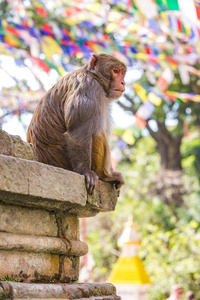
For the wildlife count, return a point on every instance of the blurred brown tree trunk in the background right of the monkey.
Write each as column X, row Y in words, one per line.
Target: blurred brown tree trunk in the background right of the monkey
column 168, row 183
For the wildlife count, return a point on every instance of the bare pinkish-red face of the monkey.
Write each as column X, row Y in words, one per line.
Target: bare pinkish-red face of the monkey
column 117, row 86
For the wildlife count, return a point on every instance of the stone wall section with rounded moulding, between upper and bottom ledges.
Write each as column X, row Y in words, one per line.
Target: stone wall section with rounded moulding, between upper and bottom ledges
column 28, row 235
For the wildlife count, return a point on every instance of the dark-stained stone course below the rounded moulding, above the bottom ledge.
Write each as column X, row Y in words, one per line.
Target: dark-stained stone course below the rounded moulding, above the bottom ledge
column 38, row 267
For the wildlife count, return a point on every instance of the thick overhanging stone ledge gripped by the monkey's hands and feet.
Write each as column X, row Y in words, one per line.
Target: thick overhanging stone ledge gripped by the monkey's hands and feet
column 33, row 184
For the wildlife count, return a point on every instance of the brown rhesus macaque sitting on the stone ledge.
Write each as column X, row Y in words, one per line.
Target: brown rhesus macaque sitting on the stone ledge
column 70, row 127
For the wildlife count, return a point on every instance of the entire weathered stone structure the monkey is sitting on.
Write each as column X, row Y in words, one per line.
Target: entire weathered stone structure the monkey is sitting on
column 39, row 227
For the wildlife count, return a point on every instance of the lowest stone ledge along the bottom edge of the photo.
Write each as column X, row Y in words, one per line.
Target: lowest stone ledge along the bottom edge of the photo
column 14, row 290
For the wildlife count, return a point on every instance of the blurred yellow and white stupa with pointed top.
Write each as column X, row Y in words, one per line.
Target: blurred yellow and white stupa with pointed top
column 128, row 274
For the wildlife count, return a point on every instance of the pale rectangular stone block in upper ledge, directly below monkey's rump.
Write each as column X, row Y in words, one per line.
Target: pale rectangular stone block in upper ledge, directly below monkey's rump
column 55, row 183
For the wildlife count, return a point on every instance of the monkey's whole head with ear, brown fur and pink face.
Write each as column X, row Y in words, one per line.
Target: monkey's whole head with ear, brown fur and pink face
column 110, row 73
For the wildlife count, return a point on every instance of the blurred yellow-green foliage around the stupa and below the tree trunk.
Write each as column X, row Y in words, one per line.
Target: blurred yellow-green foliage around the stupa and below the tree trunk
column 170, row 235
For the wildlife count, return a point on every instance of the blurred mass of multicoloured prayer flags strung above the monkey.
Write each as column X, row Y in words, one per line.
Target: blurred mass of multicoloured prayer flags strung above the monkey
column 143, row 37
